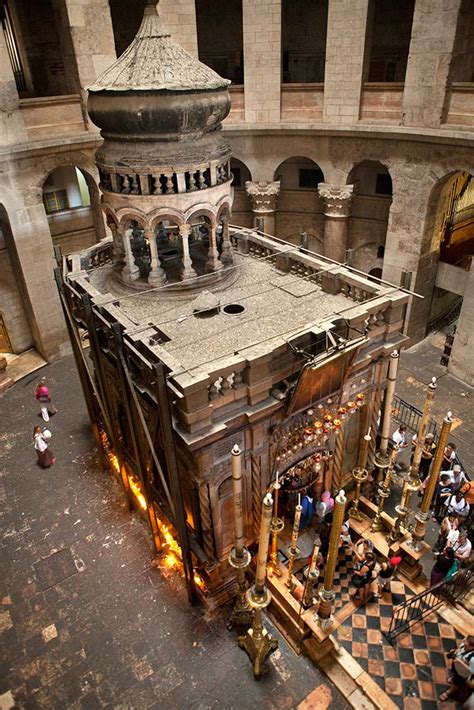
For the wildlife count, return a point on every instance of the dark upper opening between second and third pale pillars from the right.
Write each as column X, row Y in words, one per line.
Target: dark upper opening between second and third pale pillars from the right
column 303, row 40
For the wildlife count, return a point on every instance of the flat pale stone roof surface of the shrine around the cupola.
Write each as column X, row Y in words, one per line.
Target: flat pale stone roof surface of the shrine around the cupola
column 276, row 305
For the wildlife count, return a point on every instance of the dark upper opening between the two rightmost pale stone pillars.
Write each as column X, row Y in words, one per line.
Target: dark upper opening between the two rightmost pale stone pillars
column 388, row 40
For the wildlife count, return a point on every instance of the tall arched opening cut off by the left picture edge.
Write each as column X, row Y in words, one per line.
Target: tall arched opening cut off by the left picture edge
column 15, row 332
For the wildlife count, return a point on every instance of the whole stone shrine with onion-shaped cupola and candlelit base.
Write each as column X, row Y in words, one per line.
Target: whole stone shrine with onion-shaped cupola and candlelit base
column 201, row 331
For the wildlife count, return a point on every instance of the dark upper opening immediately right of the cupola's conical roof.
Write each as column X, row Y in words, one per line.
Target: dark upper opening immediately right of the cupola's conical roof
column 220, row 37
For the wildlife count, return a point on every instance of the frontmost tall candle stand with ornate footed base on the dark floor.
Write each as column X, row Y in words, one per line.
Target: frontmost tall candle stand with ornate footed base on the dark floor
column 257, row 642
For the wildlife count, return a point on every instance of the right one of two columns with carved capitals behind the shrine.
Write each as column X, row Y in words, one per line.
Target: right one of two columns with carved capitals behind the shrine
column 337, row 201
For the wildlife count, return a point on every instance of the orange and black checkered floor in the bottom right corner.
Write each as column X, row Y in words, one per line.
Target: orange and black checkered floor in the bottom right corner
column 413, row 670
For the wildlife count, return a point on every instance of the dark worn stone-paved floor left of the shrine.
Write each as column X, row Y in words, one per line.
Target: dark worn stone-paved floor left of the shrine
column 85, row 620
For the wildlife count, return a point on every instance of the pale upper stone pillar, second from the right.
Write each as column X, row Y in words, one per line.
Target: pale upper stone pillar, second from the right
column 344, row 71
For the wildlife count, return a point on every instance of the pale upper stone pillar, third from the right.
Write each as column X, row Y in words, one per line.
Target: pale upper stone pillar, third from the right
column 262, row 52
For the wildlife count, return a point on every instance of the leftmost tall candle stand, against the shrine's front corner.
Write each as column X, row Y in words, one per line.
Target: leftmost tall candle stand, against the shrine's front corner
column 239, row 556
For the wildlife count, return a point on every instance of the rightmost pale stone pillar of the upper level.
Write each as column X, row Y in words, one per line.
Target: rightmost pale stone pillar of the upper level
column 431, row 48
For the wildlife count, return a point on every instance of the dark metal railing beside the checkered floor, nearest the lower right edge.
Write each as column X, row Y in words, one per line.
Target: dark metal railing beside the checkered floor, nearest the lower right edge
column 416, row 608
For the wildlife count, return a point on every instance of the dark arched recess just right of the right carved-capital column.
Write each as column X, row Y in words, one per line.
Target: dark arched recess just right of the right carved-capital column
column 368, row 222
